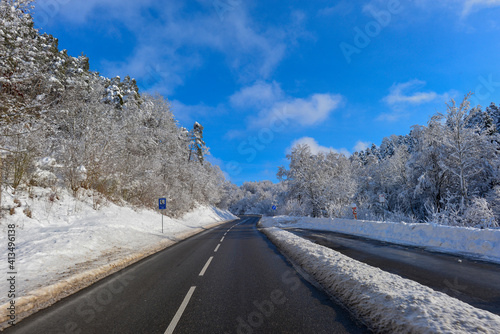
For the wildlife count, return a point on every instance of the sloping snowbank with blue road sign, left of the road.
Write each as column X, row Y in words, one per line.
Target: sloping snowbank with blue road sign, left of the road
column 67, row 245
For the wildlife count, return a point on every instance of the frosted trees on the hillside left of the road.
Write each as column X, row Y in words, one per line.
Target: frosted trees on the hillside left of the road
column 98, row 134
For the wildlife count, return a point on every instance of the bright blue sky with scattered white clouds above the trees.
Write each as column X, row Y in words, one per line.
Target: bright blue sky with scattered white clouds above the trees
column 261, row 76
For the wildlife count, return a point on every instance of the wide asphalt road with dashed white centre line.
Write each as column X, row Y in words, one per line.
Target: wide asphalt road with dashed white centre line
column 229, row 279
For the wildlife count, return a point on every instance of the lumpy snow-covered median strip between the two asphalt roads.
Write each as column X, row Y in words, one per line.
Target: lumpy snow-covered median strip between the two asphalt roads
column 385, row 302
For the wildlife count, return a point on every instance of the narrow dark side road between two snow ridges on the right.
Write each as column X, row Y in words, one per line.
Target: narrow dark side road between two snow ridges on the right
column 474, row 282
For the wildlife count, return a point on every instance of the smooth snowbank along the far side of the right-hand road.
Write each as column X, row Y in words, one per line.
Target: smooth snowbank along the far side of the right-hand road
column 483, row 244
